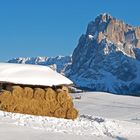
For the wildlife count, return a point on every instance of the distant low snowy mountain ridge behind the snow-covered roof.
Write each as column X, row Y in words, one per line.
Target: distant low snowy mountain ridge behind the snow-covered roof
column 59, row 63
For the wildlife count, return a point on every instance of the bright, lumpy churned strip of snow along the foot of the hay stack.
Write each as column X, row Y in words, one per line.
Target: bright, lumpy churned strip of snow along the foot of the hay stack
column 84, row 125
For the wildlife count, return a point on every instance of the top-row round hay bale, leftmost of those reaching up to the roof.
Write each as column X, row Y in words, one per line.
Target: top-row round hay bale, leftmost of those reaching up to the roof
column 17, row 91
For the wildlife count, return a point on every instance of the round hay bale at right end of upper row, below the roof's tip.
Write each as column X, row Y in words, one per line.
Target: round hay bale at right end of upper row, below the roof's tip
column 62, row 97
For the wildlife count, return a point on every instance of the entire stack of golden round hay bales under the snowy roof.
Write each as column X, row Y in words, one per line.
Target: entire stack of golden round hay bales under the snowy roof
column 39, row 101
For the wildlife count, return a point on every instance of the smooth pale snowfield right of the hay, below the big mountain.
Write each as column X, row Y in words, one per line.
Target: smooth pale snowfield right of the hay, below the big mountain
column 124, row 108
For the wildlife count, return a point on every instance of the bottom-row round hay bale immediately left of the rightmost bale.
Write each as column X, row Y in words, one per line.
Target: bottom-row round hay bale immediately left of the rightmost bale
column 60, row 113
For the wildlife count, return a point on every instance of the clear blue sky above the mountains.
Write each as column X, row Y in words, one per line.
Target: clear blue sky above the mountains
column 53, row 27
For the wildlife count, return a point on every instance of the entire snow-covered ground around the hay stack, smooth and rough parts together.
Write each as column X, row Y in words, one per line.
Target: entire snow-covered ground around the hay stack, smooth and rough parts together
column 119, row 119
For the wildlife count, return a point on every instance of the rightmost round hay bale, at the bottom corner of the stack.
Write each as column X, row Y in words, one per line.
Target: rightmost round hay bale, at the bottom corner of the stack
column 72, row 113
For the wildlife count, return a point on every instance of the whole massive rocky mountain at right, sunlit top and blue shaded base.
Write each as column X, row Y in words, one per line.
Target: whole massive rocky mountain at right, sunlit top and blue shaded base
column 107, row 57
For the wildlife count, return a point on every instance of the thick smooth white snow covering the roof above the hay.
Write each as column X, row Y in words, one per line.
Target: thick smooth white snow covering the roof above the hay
column 31, row 75
